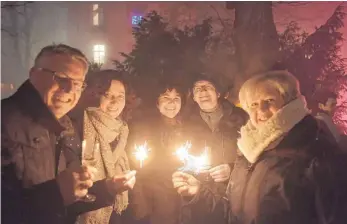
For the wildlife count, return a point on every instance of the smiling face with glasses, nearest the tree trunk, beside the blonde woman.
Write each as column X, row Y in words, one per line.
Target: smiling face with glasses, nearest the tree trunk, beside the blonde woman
column 205, row 95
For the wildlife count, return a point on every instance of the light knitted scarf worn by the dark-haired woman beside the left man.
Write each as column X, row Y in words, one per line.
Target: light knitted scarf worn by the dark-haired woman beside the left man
column 111, row 134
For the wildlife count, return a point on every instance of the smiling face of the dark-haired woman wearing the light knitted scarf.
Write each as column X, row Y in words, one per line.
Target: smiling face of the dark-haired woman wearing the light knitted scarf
column 113, row 100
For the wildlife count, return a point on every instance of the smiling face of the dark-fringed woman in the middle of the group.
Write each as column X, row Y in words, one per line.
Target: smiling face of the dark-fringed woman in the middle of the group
column 169, row 103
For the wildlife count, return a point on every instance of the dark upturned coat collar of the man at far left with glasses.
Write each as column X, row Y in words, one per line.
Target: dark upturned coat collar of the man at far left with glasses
column 31, row 103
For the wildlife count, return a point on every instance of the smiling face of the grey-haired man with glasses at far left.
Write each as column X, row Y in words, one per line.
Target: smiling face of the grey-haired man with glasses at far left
column 59, row 79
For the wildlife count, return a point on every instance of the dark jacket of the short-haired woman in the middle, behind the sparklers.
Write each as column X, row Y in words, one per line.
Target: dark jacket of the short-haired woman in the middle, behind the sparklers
column 153, row 196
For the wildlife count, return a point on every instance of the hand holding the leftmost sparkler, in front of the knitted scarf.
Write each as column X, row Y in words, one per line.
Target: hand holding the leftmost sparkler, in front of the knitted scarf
column 120, row 183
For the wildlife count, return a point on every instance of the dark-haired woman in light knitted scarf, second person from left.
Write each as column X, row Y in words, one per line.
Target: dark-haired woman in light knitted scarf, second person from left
column 103, row 126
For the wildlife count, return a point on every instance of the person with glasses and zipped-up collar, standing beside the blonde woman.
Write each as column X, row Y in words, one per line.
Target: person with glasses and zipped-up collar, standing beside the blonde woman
column 217, row 122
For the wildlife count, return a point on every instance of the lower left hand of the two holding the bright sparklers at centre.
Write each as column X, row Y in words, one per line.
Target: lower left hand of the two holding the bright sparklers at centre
column 185, row 184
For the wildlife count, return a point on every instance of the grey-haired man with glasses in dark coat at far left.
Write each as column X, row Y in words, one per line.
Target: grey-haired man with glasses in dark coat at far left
column 43, row 180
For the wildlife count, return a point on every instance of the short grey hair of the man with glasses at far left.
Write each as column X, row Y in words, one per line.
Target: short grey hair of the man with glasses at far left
column 64, row 50
